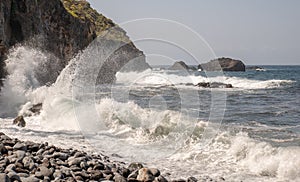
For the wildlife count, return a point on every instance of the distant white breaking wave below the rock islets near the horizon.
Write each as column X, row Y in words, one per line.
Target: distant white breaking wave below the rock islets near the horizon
column 166, row 78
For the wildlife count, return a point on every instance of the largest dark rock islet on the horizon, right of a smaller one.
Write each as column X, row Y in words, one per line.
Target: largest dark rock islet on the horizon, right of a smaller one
column 223, row 64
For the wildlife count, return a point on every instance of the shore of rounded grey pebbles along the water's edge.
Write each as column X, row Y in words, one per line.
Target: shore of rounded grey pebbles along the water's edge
column 31, row 161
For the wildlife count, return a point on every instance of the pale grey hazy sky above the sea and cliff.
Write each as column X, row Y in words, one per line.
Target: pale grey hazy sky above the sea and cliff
column 258, row 32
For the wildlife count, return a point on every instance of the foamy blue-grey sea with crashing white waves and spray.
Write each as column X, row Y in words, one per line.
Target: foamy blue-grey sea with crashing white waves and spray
column 159, row 117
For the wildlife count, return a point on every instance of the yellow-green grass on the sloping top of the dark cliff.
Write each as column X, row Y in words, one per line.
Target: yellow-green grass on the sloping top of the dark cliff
column 82, row 10
